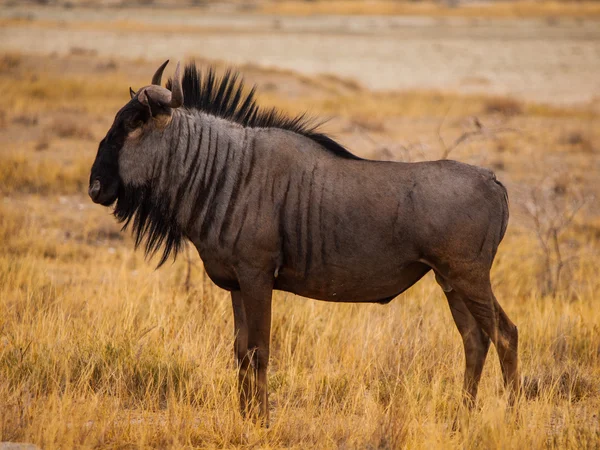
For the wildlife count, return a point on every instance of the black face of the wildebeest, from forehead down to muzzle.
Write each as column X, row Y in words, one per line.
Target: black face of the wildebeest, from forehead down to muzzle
column 105, row 181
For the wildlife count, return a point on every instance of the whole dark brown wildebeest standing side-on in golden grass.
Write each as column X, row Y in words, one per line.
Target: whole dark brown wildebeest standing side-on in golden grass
column 271, row 203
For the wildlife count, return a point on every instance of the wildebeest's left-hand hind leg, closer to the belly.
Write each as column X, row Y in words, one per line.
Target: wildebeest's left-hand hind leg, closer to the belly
column 476, row 342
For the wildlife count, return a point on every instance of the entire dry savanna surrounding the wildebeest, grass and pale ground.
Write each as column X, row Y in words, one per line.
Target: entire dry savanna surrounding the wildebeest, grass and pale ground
column 512, row 86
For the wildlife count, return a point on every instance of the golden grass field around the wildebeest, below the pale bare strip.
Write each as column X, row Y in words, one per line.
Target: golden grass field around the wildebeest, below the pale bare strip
column 99, row 350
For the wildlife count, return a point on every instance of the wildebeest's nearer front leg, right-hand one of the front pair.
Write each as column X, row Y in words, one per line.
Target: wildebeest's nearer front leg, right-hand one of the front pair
column 256, row 293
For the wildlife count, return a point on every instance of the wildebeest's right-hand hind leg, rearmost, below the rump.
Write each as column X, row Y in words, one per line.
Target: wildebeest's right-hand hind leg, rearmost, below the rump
column 476, row 291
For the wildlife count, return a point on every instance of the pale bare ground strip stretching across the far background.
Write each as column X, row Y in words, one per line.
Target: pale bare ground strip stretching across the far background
column 548, row 60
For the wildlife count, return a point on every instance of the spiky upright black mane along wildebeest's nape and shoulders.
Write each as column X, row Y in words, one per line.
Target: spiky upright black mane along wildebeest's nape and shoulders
column 224, row 97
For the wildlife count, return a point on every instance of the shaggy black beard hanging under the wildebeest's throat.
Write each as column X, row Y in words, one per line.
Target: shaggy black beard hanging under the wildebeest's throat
column 152, row 223
